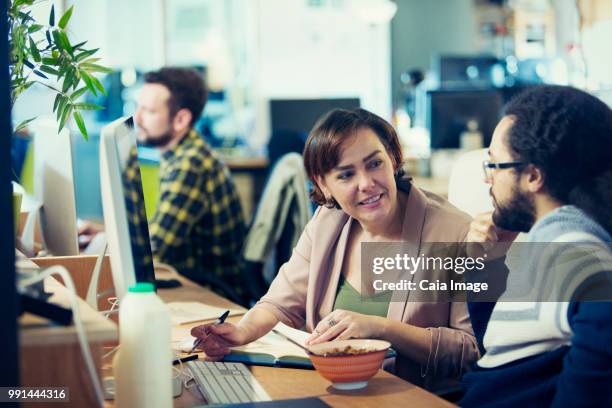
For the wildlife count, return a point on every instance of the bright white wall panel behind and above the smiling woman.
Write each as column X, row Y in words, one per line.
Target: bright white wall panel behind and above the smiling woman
column 305, row 51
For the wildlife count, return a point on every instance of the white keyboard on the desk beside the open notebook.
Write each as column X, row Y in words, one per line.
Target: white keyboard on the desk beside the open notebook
column 224, row 383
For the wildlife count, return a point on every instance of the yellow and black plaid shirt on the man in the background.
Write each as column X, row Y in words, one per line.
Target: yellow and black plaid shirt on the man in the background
column 198, row 226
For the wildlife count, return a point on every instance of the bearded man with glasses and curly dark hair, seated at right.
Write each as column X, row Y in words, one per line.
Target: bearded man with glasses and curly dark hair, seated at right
column 550, row 172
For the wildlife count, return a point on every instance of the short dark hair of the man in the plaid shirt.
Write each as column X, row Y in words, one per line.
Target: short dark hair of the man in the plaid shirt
column 187, row 89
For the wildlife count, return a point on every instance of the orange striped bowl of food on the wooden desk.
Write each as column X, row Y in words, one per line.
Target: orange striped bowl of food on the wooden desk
column 349, row 371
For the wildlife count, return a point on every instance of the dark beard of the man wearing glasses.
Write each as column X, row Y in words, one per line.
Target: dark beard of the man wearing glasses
column 517, row 215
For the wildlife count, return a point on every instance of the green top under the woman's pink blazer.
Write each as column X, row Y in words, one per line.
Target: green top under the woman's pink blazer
column 348, row 298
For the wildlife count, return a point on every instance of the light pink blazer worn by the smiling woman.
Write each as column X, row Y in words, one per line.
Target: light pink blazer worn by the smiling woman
column 305, row 288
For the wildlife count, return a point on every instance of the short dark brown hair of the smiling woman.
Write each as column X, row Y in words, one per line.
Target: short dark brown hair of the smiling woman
column 324, row 144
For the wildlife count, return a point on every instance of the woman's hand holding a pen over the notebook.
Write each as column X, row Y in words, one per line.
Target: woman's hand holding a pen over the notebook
column 217, row 339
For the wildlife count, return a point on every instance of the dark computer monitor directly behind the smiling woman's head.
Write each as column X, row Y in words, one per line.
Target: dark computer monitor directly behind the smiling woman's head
column 300, row 115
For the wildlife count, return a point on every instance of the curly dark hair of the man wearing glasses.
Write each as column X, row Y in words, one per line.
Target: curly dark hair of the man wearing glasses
column 567, row 134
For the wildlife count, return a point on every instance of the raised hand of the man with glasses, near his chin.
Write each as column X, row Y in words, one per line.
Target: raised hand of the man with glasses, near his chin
column 484, row 236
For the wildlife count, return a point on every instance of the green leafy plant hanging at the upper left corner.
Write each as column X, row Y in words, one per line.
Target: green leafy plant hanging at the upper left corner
column 42, row 53
